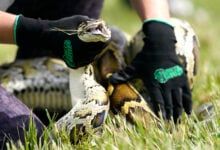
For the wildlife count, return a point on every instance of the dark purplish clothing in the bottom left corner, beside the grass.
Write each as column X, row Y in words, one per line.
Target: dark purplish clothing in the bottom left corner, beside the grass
column 14, row 119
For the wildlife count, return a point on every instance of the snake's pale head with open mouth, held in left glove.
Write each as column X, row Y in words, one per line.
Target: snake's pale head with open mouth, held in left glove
column 94, row 31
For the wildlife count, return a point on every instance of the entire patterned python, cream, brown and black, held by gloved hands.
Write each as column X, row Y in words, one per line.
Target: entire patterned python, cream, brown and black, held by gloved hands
column 43, row 82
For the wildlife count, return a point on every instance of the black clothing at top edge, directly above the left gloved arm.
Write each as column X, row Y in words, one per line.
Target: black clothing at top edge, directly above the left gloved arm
column 56, row 9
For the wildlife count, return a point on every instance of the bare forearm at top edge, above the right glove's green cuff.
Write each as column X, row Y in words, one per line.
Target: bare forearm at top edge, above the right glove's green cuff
column 148, row 9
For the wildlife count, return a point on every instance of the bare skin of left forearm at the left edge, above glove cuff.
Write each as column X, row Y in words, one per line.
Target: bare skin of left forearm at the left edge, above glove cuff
column 6, row 27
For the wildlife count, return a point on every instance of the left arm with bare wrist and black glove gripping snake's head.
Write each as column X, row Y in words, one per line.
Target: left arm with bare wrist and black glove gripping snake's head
column 28, row 32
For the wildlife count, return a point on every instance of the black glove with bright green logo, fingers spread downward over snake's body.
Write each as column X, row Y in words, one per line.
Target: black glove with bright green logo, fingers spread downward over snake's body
column 159, row 68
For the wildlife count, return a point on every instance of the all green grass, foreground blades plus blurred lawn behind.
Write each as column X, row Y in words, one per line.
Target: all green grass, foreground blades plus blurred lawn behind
column 191, row 134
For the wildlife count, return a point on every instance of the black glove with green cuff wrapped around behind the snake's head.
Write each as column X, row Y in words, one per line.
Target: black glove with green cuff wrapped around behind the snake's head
column 39, row 34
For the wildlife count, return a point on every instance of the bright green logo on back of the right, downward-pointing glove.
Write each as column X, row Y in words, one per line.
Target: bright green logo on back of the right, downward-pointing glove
column 163, row 75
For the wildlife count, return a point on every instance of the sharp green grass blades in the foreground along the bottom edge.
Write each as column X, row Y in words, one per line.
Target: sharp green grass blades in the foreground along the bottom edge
column 191, row 134
